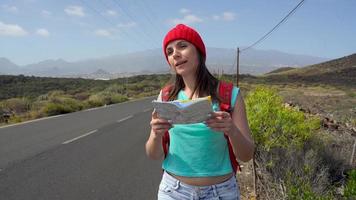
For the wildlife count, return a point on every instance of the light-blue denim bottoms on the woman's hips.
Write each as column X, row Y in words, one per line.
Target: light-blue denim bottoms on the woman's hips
column 171, row 188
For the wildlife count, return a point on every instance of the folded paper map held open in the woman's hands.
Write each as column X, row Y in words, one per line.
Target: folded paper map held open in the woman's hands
column 184, row 111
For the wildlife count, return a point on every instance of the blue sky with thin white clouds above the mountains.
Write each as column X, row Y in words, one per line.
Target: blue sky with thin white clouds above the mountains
column 36, row 30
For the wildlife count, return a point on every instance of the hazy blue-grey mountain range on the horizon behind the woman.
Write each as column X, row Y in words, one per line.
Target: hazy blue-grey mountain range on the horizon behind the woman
column 254, row 62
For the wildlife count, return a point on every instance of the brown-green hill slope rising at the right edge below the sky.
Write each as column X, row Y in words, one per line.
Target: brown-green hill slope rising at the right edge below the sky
column 341, row 71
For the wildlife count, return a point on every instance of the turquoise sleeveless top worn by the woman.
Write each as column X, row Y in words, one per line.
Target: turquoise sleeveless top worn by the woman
column 197, row 151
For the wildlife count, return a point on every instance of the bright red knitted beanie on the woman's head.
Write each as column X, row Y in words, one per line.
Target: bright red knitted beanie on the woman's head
column 187, row 33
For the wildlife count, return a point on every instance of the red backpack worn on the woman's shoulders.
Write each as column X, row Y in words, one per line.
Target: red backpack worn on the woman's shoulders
column 225, row 92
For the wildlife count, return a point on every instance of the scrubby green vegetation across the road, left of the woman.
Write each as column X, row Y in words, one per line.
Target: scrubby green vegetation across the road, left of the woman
column 24, row 98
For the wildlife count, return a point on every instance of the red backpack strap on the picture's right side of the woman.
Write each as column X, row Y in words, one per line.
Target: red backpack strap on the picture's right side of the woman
column 225, row 93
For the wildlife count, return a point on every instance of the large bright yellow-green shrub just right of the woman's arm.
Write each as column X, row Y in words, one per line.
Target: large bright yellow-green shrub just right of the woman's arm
column 273, row 125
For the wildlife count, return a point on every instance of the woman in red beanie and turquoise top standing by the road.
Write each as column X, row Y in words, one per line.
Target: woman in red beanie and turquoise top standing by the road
column 197, row 165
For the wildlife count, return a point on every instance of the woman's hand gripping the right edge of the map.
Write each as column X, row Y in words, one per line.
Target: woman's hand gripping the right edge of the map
column 221, row 121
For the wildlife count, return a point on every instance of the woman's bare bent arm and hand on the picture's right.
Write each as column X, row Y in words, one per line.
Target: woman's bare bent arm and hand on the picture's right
column 236, row 128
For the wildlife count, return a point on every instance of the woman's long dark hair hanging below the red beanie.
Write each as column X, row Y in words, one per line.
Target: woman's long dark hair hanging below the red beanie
column 206, row 83
